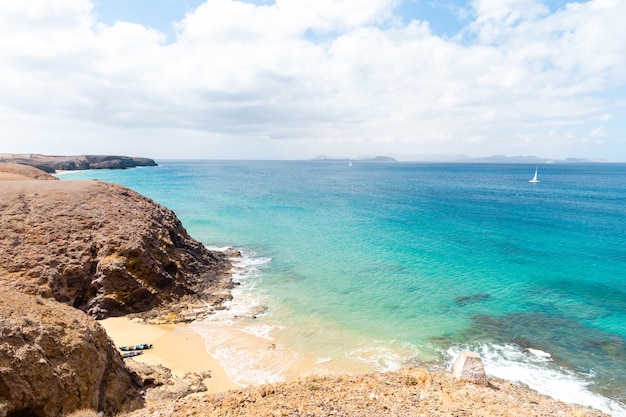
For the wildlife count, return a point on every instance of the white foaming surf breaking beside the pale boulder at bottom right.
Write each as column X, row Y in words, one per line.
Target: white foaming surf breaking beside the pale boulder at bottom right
column 536, row 369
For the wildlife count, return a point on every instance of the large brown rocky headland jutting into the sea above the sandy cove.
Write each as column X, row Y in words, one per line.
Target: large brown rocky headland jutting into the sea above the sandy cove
column 102, row 248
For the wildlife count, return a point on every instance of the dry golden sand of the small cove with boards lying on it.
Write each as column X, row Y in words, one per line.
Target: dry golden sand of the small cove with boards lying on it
column 176, row 346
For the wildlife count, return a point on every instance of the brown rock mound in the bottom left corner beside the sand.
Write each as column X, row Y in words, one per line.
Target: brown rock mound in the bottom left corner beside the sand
column 55, row 359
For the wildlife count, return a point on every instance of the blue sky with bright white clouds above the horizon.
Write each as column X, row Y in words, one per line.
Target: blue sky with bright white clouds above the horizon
column 293, row 79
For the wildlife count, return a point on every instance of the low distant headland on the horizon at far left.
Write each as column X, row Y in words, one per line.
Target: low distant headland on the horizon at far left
column 53, row 163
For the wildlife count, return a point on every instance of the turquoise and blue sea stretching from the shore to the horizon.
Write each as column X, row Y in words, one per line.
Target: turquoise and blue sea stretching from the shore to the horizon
column 379, row 265
